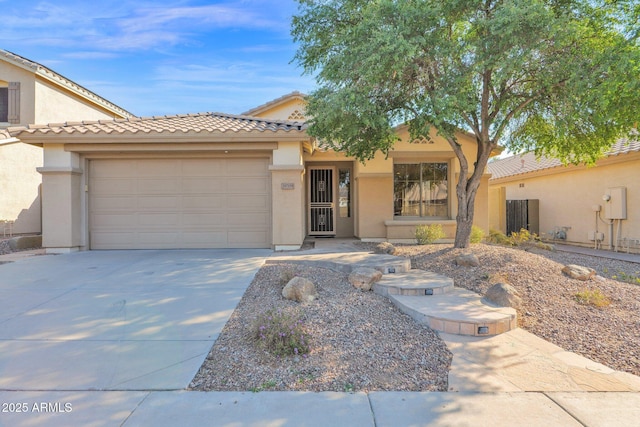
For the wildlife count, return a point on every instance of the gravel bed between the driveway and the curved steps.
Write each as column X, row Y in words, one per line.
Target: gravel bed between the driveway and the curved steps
column 359, row 342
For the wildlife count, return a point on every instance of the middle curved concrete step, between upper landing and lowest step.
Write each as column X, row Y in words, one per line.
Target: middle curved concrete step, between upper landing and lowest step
column 413, row 283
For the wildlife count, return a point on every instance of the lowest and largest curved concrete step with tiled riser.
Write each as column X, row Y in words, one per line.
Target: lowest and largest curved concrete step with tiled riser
column 459, row 312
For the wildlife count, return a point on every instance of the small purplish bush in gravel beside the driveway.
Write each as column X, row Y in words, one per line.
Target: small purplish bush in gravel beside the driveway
column 280, row 333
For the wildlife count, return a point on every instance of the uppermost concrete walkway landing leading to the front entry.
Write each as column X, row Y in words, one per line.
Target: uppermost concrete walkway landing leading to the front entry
column 346, row 262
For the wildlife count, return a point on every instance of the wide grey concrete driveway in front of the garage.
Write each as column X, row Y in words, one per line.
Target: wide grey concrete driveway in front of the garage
column 116, row 320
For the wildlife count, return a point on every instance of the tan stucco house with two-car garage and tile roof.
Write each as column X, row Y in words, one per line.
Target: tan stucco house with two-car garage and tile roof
column 255, row 180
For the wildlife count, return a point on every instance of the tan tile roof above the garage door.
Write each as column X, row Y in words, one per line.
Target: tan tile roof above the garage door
column 184, row 123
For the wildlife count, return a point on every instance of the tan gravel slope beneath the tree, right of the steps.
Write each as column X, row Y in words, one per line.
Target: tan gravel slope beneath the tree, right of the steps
column 609, row 335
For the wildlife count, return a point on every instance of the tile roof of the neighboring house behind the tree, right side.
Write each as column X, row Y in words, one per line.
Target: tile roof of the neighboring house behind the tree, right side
column 528, row 162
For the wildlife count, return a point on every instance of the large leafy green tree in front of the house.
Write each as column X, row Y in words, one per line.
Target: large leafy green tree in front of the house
column 560, row 77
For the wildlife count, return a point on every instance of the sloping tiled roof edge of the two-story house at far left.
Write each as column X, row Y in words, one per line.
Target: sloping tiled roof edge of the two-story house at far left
column 60, row 80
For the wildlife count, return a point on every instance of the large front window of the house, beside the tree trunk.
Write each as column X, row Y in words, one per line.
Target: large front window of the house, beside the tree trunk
column 421, row 190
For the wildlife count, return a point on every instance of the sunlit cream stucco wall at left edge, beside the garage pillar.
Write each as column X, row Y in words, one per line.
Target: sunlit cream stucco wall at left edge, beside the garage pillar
column 20, row 186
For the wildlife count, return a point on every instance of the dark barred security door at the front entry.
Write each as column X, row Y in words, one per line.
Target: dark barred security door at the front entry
column 322, row 218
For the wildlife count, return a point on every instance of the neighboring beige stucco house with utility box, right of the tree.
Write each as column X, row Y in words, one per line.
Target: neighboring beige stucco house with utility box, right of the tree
column 597, row 206
